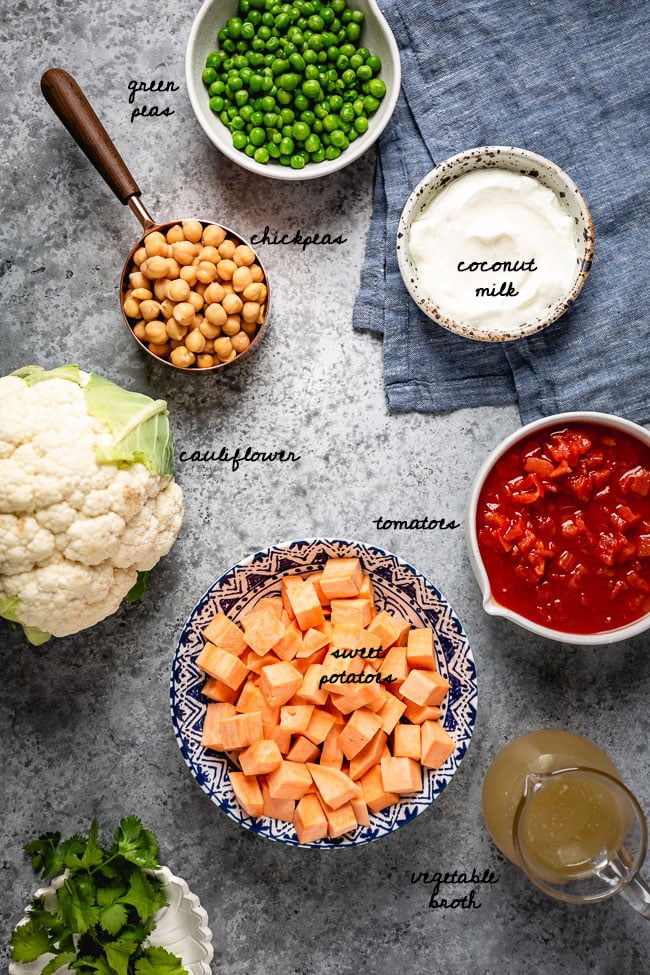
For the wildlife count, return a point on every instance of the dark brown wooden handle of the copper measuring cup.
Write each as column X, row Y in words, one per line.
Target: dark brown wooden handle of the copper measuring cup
column 66, row 99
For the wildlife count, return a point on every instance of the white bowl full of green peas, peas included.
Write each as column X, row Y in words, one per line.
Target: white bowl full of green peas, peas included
column 293, row 90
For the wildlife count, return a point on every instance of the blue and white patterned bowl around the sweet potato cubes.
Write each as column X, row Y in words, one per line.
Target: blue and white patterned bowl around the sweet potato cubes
column 397, row 587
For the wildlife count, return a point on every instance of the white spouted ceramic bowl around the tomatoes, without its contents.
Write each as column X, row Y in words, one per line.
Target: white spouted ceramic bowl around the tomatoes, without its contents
column 490, row 605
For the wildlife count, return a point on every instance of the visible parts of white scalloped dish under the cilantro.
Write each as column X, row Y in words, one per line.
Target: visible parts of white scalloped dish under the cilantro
column 181, row 927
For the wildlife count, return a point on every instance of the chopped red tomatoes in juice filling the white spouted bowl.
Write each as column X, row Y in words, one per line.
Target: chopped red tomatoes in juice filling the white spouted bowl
column 563, row 527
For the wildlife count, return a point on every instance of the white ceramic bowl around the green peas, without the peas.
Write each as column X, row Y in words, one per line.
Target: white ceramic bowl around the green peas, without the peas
column 375, row 35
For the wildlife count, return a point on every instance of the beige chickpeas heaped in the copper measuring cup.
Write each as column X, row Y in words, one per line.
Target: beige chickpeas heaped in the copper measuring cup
column 195, row 297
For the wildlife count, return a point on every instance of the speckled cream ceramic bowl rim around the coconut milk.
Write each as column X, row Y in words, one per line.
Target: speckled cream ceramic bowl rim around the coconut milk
column 516, row 161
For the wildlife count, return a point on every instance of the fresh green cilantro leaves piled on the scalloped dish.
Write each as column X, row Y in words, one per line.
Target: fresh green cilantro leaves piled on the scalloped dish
column 105, row 908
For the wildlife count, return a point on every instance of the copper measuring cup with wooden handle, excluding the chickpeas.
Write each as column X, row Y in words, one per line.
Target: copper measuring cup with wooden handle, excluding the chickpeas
column 69, row 103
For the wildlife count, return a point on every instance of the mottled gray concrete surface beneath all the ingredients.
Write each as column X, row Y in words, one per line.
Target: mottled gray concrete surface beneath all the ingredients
column 85, row 721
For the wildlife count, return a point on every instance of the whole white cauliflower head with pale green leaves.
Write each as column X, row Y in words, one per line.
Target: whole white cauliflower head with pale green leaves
column 88, row 503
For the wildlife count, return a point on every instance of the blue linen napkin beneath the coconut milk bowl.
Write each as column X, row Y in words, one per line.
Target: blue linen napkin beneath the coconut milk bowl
column 567, row 79
